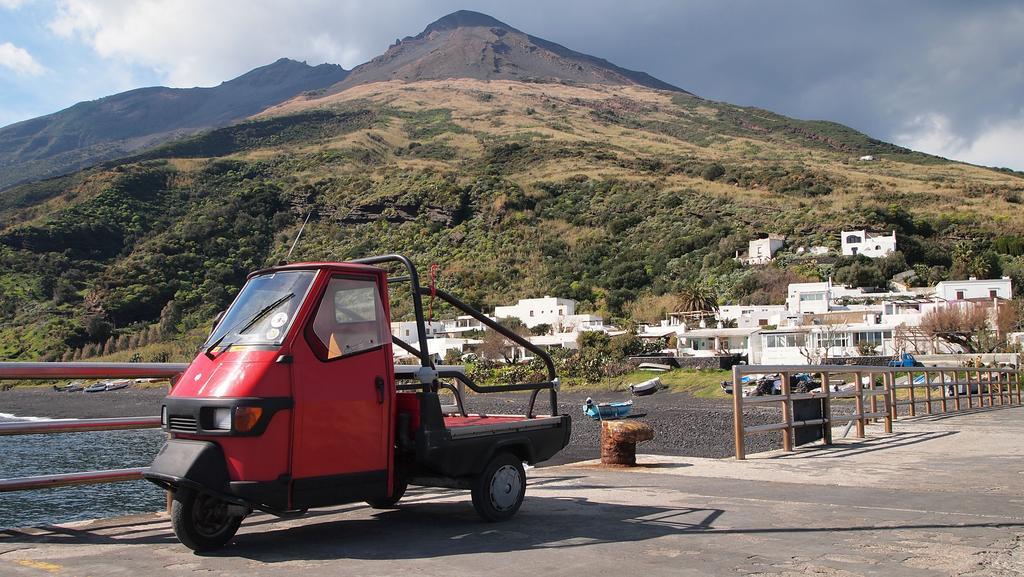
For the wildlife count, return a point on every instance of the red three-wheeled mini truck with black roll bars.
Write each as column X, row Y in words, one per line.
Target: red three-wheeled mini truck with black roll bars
column 295, row 402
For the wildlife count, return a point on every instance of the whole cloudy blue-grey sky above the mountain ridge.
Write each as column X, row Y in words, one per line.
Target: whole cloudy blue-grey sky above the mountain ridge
column 945, row 77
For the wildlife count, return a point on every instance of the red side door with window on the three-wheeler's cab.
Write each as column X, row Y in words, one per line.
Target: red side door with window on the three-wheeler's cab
column 343, row 370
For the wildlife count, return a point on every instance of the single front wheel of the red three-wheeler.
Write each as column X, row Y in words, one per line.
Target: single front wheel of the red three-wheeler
column 202, row 522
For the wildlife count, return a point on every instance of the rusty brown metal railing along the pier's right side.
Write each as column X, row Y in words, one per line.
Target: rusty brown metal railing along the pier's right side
column 878, row 393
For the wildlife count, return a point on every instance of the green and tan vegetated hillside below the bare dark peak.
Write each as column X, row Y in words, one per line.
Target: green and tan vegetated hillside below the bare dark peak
column 612, row 198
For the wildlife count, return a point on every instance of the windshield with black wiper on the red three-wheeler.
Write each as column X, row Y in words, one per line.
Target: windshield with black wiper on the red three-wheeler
column 264, row 311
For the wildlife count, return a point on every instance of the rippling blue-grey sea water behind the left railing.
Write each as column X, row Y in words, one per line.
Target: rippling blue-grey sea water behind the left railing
column 25, row 456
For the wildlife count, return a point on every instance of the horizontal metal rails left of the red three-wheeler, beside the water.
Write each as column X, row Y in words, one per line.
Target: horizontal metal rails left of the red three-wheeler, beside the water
column 50, row 372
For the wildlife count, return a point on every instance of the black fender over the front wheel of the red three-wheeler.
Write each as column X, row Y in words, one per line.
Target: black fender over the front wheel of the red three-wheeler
column 196, row 465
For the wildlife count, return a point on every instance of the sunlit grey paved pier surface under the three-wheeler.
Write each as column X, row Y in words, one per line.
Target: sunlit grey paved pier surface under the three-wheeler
column 943, row 497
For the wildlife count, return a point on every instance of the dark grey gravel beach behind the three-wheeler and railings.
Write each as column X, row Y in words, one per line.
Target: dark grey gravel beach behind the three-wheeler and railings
column 684, row 425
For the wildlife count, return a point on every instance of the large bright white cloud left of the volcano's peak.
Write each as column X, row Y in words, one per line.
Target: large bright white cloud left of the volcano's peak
column 197, row 43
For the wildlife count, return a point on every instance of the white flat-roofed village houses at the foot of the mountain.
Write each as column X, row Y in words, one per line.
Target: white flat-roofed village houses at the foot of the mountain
column 820, row 323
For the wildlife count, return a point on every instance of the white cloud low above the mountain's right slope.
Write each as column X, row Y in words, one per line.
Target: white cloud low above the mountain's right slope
column 997, row 145
